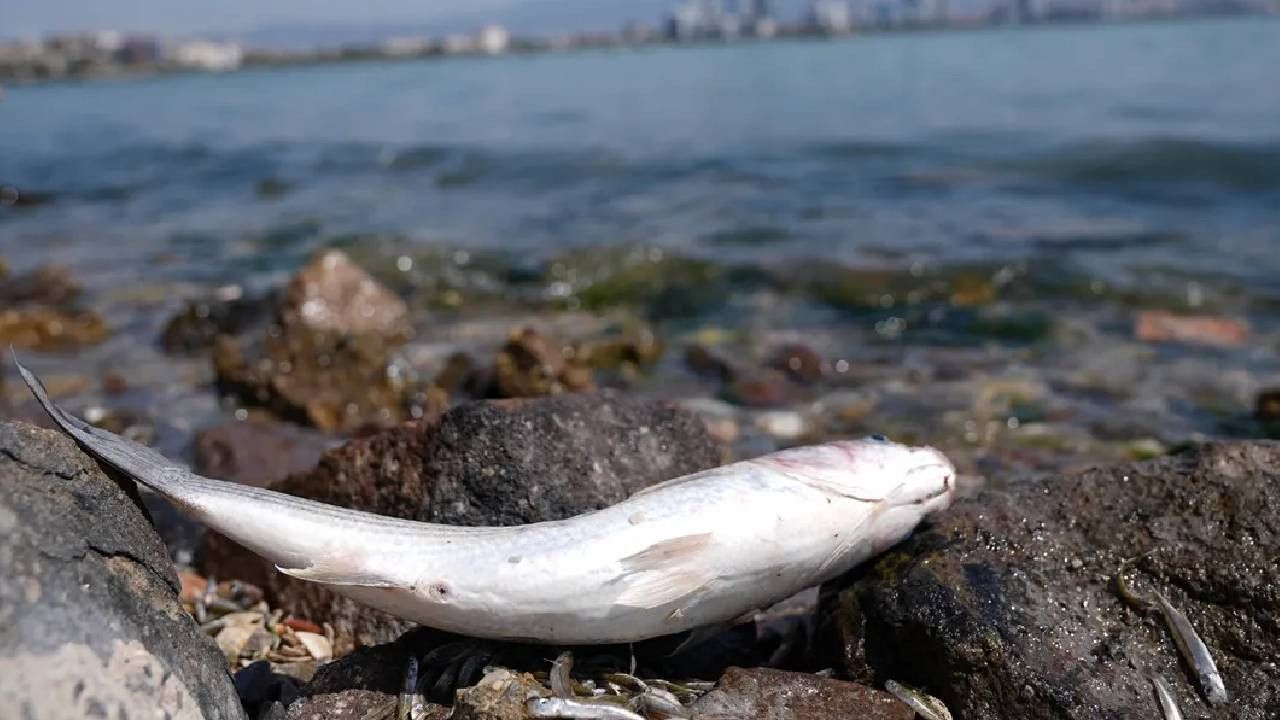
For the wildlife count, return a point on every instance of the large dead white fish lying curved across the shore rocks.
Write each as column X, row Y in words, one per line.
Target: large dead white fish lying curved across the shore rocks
column 687, row 554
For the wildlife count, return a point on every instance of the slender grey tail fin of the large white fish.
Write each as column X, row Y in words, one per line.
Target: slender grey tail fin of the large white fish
column 139, row 462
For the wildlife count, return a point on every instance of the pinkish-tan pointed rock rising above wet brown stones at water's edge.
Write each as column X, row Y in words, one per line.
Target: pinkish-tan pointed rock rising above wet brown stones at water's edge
column 333, row 295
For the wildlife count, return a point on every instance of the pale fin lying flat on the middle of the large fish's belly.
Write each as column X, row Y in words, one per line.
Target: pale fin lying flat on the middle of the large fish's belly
column 666, row 572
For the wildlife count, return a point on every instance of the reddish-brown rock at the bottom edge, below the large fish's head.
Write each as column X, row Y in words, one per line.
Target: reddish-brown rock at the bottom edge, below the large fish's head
column 779, row 695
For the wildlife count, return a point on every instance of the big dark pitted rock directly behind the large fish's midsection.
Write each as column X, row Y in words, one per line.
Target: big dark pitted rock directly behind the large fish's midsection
column 487, row 463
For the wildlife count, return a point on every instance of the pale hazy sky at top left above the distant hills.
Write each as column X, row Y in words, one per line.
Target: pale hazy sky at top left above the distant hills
column 25, row 17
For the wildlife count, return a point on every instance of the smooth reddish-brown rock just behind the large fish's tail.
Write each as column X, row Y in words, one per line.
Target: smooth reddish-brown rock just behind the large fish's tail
column 257, row 453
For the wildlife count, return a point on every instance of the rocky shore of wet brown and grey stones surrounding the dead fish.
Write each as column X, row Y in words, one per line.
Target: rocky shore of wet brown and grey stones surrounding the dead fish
column 346, row 388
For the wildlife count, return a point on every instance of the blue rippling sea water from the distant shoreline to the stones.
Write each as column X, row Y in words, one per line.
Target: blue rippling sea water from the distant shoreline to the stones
column 1137, row 160
